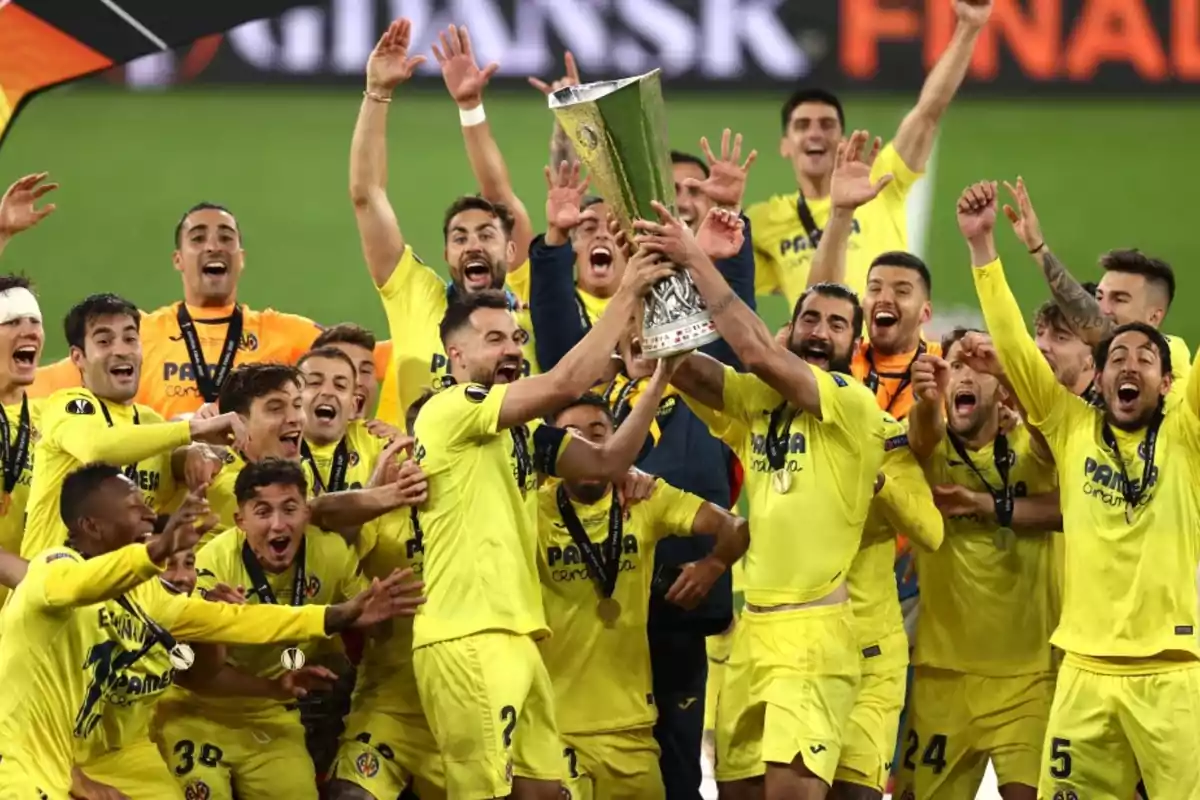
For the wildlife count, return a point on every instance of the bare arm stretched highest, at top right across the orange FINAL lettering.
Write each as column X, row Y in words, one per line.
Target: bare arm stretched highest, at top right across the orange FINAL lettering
column 919, row 130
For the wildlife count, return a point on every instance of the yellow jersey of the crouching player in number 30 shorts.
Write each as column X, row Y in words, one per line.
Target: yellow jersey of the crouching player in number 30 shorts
column 332, row 576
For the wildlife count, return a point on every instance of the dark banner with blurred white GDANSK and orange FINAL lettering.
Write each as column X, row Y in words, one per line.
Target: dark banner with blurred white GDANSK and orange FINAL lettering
column 1079, row 46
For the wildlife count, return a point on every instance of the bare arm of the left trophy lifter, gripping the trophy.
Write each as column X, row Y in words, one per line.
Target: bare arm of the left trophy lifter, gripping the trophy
column 539, row 396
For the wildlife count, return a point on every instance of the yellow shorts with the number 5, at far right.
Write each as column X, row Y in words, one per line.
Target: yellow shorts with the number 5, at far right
column 1106, row 731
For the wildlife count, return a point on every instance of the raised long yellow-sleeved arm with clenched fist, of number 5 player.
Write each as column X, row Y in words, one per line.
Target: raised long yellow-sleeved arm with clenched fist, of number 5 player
column 1029, row 374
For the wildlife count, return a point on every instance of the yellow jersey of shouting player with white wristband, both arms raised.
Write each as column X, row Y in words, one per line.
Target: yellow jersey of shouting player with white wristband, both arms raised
column 415, row 299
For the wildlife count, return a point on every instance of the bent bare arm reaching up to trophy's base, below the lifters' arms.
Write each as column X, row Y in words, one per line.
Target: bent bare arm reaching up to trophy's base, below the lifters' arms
column 585, row 461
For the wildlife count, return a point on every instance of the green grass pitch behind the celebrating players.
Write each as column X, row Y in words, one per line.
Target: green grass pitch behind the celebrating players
column 1102, row 175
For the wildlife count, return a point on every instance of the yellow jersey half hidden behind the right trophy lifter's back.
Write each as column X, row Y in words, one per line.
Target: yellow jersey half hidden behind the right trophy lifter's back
column 904, row 504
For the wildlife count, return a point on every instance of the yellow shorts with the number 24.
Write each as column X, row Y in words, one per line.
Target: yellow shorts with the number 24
column 957, row 723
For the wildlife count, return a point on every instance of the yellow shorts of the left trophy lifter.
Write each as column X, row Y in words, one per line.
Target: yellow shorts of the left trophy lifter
column 491, row 708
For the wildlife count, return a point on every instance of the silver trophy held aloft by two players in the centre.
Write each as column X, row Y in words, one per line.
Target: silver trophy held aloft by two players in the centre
column 620, row 131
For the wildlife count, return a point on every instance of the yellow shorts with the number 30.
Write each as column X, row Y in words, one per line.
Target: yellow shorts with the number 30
column 213, row 761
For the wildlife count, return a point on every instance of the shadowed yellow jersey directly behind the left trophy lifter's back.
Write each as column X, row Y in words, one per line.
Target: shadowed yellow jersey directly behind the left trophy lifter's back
column 387, row 683
